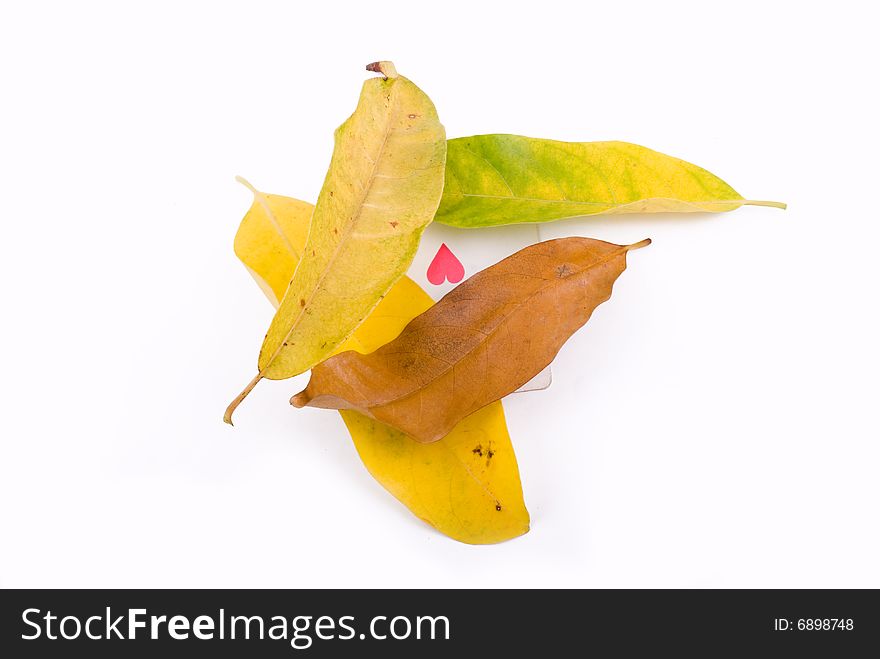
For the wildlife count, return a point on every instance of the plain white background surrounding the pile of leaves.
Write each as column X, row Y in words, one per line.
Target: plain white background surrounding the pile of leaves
column 715, row 424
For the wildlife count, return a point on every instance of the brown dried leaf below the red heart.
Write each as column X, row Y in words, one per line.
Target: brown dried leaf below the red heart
column 482, row 341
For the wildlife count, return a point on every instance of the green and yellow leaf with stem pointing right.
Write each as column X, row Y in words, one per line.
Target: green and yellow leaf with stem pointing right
column 505, row 179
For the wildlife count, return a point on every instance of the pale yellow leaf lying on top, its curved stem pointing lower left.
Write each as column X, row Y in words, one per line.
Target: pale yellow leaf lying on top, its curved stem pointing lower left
column 381, row 191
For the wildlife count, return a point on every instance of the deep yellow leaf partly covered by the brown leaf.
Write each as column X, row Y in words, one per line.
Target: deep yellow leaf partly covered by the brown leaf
column 466, row 485
